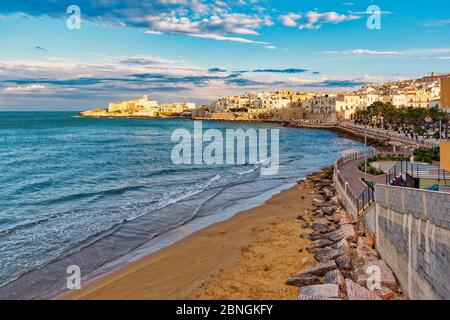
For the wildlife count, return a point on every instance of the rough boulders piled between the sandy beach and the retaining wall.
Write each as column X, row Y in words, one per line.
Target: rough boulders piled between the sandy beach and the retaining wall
column 348, row 266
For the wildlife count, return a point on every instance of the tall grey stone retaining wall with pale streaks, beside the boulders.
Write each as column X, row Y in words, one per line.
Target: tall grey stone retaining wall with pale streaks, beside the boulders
column 412, row 233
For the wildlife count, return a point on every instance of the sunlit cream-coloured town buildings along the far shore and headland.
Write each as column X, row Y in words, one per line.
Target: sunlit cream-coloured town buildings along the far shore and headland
column 289, row 105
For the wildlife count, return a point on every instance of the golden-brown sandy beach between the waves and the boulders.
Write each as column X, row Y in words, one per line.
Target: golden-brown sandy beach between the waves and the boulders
column 249, row 256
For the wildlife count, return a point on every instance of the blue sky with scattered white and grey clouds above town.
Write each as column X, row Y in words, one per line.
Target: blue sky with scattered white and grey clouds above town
column 200, row 50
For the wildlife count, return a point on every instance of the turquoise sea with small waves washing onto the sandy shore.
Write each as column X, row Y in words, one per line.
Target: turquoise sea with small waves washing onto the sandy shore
column 88, row 191
